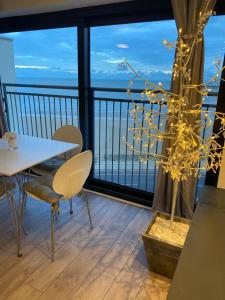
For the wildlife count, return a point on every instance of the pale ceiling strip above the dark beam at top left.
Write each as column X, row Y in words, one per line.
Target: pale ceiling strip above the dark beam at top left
column 9, row 8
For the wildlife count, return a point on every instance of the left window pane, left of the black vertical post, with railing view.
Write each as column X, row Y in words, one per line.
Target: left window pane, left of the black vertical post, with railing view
column 42, row 93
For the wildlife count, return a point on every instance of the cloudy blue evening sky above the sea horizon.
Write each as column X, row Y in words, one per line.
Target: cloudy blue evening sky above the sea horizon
column 53, row 53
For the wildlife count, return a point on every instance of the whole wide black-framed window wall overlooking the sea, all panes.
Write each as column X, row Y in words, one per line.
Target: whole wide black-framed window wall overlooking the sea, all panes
column 48, row 58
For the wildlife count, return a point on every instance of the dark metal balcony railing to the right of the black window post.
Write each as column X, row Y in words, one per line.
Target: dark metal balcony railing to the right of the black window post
column 114, row 160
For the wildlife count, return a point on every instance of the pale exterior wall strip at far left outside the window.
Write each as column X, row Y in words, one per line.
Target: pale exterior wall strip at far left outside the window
column 7, row 65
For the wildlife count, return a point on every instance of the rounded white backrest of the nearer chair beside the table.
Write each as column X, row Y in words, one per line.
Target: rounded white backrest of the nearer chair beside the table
column 71, row 176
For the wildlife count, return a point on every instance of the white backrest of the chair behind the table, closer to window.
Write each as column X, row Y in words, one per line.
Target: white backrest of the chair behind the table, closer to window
column 70, row 134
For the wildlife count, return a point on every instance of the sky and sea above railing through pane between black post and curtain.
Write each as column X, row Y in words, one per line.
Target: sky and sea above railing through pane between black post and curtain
column 140, row 44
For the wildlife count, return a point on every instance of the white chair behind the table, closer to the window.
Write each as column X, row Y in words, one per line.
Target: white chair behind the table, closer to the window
column 67, row 133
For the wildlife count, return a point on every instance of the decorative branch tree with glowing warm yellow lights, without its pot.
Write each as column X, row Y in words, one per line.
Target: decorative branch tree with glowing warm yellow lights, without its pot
column 182, row 123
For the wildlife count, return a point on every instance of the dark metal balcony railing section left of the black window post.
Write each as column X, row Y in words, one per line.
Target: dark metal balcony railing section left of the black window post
column 39, row 110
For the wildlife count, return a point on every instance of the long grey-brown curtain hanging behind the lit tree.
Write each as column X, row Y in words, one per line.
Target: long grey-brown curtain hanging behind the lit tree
column 186, row 14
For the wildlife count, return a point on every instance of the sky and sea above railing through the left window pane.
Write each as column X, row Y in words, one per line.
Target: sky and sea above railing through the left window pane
column 45, row 56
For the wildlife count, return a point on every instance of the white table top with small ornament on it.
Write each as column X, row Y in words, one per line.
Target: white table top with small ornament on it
column 30, row 152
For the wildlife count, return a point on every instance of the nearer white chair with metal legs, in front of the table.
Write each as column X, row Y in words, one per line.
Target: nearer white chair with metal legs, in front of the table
column 67, row 182
